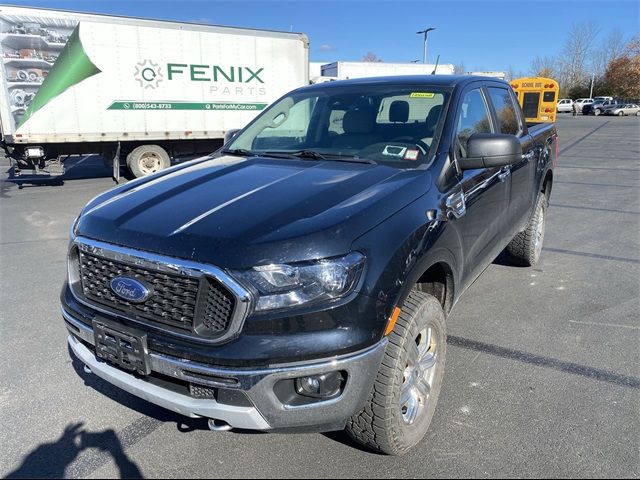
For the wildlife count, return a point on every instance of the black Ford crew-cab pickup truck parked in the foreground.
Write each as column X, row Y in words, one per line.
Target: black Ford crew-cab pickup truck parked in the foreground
column 299, row 278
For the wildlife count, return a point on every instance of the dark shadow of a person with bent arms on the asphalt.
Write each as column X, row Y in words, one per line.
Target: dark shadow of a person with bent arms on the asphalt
column 50, row 460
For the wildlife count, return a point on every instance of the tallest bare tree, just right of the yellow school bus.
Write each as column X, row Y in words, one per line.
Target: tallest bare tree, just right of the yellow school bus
column 577, row 47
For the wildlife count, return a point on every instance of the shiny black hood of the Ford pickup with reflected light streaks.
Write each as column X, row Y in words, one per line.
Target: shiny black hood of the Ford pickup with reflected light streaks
column 239, row 212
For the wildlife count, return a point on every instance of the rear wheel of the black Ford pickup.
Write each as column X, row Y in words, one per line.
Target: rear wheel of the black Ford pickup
column 525, row 248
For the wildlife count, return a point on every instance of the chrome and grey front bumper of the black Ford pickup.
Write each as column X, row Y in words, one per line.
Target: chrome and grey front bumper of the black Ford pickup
column 265, row 410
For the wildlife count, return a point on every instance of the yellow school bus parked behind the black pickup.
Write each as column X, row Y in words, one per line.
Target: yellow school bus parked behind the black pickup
column 538, row 97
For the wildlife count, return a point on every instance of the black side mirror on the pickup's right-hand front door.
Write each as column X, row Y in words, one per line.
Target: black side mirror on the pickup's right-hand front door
column 488, row 150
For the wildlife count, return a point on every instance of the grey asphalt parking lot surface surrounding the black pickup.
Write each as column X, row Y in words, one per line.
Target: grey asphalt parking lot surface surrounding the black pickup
column 543, row 363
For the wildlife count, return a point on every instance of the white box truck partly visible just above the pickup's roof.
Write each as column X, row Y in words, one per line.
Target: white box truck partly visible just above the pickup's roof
column 346, row 70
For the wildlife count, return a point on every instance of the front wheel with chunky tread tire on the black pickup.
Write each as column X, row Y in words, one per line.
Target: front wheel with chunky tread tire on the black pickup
column 382, row 424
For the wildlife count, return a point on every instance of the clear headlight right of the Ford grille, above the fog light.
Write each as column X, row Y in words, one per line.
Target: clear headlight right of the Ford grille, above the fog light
column 284, row 286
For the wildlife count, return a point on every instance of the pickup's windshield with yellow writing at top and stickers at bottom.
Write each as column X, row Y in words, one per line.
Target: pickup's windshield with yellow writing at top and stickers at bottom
column 393, row 125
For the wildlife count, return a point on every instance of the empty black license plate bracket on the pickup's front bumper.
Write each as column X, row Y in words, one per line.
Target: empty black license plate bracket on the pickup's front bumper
column 122, row 346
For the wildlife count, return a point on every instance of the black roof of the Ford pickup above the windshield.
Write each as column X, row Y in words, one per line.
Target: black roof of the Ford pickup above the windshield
column 434, row 80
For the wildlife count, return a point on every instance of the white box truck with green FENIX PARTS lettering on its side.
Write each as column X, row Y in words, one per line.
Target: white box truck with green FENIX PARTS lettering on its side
column 143, row 91
